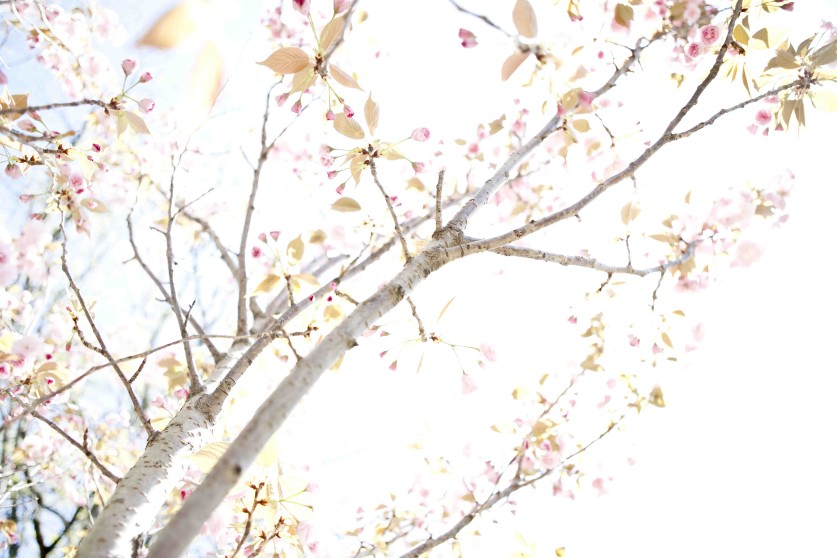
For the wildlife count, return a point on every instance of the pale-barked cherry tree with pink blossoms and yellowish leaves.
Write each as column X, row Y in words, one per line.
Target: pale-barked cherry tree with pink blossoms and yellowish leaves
column 179, row 275
